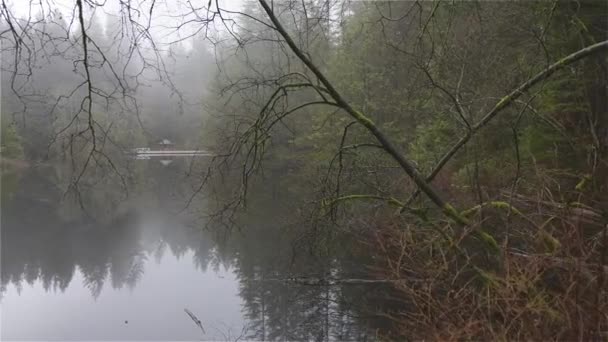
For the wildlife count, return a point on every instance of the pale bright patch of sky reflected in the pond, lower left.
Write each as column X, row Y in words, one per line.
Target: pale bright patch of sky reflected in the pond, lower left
column 151, row 310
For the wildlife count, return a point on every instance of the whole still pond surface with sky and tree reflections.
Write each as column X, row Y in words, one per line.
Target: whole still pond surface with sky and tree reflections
column 134, row 270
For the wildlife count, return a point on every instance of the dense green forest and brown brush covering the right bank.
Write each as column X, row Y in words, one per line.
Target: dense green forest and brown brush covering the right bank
column 465, row 143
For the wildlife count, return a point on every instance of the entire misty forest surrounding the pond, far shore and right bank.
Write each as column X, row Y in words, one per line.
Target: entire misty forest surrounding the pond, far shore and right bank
column 457, row 152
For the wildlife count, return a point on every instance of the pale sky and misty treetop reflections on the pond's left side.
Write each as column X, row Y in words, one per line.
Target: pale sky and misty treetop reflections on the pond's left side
column 127, row 276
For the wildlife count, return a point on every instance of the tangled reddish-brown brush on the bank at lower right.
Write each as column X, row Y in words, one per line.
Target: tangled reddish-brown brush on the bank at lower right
column 549, row 281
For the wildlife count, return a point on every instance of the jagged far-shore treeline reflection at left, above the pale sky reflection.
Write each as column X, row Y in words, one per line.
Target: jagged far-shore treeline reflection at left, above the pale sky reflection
column 40, row 243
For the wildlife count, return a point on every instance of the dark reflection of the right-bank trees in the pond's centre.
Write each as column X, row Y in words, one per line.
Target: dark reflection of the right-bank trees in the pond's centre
column 266, row 258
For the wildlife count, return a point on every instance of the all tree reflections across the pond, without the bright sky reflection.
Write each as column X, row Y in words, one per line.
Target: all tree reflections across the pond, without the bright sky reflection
column 39, row 244
